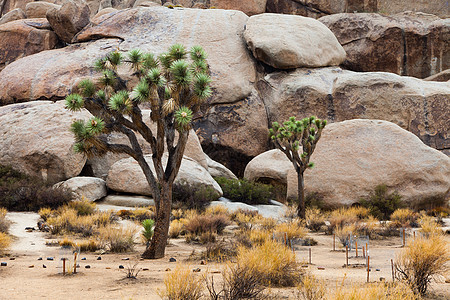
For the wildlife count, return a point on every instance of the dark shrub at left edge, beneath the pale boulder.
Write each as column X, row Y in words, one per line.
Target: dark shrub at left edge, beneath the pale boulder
column 19, row 192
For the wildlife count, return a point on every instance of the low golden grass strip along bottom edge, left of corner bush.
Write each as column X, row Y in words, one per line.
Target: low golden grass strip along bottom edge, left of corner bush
column 379, row 291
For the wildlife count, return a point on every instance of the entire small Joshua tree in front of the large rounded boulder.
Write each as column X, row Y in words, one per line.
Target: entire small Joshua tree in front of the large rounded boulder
column 294, row 136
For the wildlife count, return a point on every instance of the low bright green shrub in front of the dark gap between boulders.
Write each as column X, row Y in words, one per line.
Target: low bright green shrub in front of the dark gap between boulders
column 245, row 191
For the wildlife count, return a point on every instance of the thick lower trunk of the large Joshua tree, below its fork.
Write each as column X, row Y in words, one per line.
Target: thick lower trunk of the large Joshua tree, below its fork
column 161, row 232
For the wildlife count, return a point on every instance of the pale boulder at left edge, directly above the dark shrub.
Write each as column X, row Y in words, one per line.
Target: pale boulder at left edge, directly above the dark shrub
column 35, row 140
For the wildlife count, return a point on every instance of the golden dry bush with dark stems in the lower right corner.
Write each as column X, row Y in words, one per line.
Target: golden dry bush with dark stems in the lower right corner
column 423, row 260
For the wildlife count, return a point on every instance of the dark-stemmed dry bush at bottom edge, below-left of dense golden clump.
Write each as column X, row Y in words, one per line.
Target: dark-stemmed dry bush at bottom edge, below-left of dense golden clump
column 239, row 282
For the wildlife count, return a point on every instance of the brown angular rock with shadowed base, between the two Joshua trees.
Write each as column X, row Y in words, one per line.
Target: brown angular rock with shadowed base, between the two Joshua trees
column 232, row 134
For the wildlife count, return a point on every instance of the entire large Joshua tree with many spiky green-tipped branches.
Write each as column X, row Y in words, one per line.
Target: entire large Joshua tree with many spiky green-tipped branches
column 174, row 87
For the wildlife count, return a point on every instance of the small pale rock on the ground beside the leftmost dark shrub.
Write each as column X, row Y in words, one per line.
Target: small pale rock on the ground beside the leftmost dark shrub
column 90, row 188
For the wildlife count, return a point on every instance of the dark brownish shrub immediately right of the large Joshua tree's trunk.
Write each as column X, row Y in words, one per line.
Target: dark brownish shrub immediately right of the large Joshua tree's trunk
column 190, row 197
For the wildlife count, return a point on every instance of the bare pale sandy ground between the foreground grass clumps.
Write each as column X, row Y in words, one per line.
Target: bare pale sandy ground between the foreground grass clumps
column 25, row 277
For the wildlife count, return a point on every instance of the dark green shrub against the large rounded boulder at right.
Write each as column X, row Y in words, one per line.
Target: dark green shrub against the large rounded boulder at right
column 381, row 204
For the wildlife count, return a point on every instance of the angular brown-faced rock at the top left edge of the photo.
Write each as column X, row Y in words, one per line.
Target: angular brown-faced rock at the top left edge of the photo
column 69, row 19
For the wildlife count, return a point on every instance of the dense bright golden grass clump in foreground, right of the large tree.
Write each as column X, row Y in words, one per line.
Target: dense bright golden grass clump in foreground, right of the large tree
column 274, row 262
